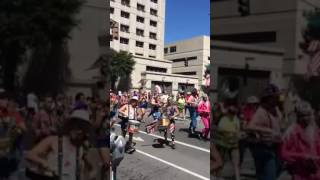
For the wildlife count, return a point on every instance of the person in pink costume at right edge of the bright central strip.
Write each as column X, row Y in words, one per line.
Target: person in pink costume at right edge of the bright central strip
column 204, row 112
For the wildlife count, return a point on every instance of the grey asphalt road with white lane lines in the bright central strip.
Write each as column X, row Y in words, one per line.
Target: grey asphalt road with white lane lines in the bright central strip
column 152, row 161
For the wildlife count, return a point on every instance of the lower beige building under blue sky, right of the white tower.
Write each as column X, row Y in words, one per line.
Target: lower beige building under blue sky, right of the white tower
column 189, row 57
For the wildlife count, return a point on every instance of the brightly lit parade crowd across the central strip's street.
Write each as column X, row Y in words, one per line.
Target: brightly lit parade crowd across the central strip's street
column 164, row 108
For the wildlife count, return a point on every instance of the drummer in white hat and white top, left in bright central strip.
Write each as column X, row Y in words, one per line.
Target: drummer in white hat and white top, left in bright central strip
column 129, row 112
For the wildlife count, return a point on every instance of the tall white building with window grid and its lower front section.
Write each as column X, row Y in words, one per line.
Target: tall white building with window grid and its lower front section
column 141, row 33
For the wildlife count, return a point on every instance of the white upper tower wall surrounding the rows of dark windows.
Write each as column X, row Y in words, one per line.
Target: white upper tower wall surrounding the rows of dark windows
column 133, row 24
